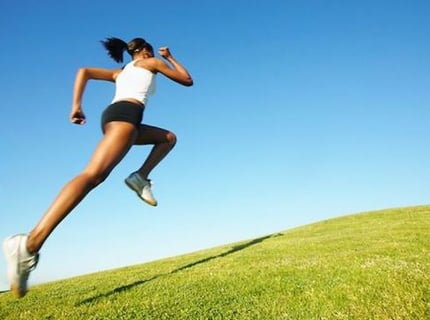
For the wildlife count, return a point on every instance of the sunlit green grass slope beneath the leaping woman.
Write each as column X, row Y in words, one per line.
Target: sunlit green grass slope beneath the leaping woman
column 373, row 265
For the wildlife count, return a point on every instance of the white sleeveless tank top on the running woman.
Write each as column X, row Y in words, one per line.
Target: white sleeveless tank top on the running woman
column 134, row 82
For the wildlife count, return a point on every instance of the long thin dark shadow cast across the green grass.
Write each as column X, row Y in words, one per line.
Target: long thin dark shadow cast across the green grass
column 188, row 266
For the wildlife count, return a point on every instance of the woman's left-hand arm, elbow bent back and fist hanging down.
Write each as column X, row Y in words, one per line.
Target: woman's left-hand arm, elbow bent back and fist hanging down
column 83, row 75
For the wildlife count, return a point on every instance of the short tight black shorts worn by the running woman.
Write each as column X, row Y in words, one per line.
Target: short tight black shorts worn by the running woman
column 123, row 111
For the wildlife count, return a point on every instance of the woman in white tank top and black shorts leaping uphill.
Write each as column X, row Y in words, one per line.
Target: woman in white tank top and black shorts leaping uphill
column 122, row 128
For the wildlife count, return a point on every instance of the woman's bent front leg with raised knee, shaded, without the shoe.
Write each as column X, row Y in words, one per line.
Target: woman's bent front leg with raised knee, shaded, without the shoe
column 163, row 141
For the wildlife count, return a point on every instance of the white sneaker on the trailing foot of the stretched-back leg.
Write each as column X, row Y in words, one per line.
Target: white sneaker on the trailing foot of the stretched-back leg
column 19, row 263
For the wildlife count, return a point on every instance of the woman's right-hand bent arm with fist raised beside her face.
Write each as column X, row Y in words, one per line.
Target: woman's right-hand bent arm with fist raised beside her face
column 177, row 73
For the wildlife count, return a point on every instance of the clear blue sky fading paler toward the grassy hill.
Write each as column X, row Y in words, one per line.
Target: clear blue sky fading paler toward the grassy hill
column 302, row 110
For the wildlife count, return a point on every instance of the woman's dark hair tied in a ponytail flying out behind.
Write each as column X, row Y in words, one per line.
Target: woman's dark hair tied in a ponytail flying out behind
column 116, row 47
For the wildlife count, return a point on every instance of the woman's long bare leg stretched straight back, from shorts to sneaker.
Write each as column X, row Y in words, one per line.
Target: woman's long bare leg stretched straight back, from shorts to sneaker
column 118, row 138
